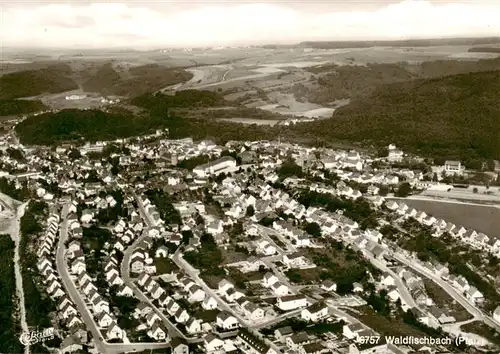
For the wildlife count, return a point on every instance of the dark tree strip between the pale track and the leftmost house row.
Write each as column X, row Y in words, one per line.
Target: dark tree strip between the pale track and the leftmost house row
column 38, row 304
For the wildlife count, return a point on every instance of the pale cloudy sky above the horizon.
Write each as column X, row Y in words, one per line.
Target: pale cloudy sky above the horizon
column 156, row 24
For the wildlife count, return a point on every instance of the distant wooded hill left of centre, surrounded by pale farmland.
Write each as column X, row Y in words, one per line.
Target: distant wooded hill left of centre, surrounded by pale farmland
column 136, row 81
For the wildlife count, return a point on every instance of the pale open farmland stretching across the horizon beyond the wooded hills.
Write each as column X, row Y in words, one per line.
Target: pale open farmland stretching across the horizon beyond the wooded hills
column 253, row 76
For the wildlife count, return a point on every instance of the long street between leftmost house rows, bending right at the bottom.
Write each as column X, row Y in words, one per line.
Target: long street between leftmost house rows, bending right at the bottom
column 102, row 346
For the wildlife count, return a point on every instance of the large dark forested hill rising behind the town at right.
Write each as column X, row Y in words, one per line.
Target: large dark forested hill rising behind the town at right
column 456, row 116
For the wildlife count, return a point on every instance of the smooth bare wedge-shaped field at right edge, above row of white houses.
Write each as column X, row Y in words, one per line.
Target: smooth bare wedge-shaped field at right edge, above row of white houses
column 481, row 218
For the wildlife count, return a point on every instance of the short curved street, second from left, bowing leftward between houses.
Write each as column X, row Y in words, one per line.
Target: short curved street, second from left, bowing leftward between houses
column 125, row 272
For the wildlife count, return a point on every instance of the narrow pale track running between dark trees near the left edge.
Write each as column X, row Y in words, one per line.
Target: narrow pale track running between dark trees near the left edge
column 15, row 234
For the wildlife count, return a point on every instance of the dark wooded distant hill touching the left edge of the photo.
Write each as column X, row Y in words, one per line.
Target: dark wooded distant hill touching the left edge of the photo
column 35, row 82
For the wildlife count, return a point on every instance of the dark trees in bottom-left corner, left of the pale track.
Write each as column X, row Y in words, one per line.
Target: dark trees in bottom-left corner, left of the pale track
column 9, row 335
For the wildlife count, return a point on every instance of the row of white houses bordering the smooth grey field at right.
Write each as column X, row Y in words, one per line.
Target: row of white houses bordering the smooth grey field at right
column 477, row 240
